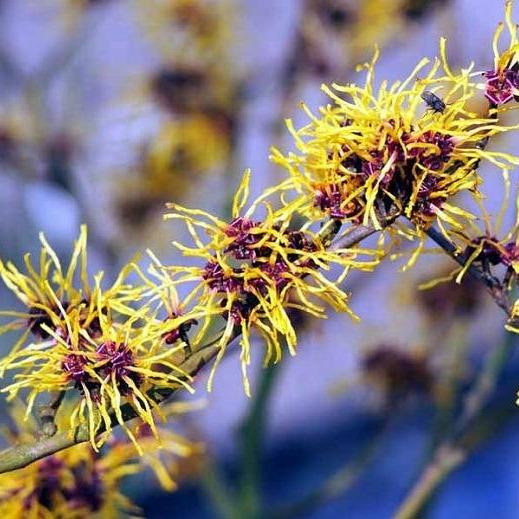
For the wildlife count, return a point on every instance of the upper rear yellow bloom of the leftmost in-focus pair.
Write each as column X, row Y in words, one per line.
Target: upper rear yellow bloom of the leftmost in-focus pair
column 53, row 294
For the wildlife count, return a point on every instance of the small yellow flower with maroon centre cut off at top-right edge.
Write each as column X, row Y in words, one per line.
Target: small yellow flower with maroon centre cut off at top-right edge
column 502, row 82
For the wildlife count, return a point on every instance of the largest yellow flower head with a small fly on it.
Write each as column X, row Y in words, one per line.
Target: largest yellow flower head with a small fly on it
column 400, row 148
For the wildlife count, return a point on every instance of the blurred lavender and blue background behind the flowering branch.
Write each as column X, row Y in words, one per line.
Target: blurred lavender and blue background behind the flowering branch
column 110, row 108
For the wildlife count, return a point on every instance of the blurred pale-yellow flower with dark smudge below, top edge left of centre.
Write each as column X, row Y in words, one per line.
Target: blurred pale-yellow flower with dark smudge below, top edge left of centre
column 199, row 74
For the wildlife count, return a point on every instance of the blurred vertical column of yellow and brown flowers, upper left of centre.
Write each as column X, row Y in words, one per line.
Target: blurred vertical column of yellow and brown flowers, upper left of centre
column 196, row 97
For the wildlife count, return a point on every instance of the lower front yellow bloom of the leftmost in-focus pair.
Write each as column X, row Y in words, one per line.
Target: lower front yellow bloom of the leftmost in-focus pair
column 125, row 363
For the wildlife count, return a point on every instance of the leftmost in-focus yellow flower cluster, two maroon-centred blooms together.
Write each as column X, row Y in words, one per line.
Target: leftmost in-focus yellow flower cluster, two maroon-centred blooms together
column 89, row 342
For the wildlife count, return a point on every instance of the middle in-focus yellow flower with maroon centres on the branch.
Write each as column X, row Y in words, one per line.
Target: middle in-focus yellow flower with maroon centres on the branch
column 251, row 266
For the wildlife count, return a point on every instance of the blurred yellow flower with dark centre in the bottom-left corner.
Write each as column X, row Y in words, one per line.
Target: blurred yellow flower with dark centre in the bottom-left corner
column 80, row 482
